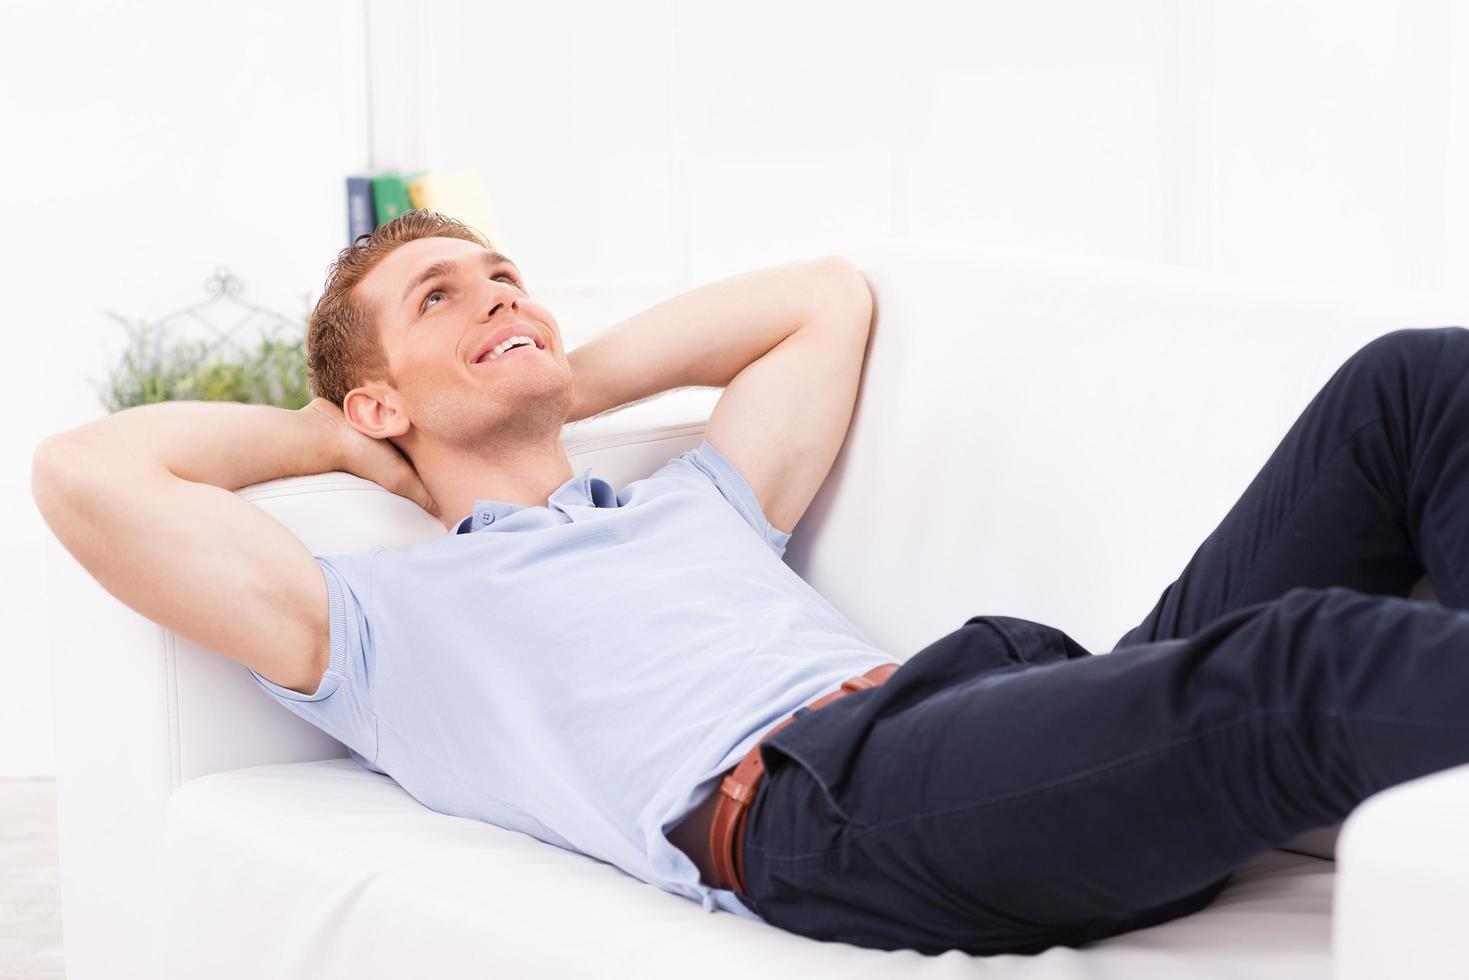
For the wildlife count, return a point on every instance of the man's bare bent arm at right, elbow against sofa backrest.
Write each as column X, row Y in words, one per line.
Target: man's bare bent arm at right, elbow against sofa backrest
column 785, row 343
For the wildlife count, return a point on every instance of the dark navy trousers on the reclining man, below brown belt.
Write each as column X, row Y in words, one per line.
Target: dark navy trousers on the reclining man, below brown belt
column 1007, row 791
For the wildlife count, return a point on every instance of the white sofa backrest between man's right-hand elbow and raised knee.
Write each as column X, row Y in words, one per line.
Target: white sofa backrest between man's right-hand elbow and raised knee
column 1053, row 437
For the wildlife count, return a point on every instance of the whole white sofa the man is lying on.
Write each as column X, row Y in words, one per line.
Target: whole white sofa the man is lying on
column 1089, row 424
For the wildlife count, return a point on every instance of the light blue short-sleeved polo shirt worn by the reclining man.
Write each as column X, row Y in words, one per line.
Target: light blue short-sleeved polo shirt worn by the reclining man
column 581, row 672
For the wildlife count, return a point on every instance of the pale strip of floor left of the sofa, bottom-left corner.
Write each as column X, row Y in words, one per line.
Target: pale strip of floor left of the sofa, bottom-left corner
column 30, row 882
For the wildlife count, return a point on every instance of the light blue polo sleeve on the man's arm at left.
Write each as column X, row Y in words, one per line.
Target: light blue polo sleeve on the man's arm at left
column 343, row 705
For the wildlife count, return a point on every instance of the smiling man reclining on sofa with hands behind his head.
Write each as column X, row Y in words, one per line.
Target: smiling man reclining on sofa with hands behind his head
column 606, row 671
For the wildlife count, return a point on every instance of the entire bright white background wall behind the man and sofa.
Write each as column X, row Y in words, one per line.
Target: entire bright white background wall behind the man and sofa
column 638, row 149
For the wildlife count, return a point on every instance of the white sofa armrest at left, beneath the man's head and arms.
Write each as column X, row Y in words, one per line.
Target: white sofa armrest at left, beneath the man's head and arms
column 140, row 710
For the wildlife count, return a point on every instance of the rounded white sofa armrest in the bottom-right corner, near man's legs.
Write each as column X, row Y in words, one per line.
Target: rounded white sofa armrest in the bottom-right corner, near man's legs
column 1402, row 890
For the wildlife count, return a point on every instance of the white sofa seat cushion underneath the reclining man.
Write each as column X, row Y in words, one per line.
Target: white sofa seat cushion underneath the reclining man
column 330, row 871
